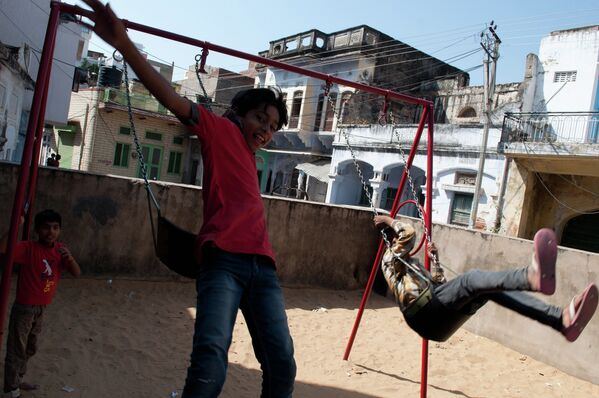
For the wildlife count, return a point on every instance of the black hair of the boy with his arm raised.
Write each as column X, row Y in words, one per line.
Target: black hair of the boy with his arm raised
column 245, row 101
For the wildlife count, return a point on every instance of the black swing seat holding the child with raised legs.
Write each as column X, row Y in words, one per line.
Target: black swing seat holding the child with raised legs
column 432, row 320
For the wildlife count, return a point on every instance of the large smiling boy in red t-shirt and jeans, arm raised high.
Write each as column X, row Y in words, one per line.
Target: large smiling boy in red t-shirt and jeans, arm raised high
column 237, row 266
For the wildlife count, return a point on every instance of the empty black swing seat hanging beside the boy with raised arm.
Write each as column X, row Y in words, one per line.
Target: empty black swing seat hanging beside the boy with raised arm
column 174, row 248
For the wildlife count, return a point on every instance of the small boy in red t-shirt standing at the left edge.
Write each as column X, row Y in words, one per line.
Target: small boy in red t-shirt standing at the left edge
column 41, row 263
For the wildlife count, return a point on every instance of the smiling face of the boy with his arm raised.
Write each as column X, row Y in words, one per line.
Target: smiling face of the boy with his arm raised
column 258, row 126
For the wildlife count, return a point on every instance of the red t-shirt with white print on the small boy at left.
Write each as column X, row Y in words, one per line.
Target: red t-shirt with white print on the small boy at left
column 39, row 272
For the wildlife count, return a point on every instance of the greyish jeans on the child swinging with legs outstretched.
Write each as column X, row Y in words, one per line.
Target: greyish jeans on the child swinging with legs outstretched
column 471, row 290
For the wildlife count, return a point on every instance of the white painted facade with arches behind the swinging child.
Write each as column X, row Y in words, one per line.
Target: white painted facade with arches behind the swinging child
column 456, row 150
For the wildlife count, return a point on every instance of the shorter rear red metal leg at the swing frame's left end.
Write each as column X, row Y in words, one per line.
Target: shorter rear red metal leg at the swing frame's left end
column 33, row 174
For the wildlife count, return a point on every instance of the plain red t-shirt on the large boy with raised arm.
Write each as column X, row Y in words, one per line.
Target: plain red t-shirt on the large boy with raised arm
column 234, row 217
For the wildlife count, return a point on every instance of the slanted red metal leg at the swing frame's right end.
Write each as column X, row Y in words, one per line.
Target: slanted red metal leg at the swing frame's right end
column 380, row 251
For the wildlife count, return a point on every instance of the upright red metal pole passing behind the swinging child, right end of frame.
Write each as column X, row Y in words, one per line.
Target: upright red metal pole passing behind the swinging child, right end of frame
column 429, row 227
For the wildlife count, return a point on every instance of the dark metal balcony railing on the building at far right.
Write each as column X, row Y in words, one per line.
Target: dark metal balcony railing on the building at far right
column 551, row 127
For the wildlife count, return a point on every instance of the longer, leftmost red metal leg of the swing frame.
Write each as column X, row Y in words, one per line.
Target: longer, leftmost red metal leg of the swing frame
column 43, row 76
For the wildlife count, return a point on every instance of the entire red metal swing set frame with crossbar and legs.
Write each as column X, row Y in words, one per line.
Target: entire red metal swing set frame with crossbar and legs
column 23, row 203
